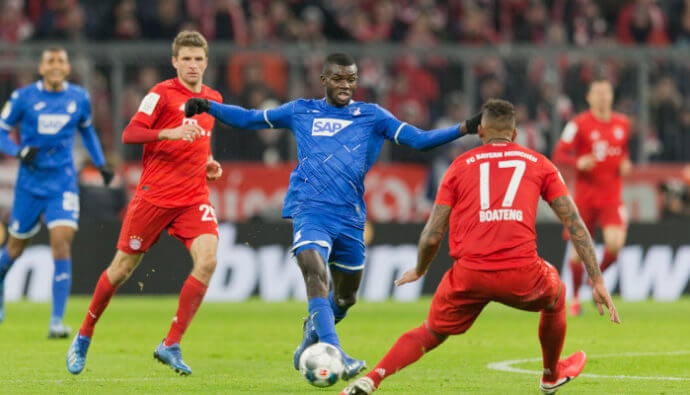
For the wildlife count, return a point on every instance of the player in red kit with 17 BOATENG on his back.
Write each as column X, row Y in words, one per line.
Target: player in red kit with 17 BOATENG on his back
column 489, row 198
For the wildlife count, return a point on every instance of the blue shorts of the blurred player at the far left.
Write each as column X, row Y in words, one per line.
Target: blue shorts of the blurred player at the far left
column 57, row 210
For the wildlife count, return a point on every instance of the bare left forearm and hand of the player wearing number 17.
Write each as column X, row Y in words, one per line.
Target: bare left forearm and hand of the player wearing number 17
column 429, row 243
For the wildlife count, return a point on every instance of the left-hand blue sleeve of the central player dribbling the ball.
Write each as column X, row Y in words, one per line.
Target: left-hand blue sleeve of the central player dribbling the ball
column 239, row 117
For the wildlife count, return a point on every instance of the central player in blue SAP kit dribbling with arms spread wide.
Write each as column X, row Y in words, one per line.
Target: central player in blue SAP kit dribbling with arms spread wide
column 338, row 141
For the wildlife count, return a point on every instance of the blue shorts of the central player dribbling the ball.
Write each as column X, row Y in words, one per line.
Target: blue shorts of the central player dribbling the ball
column 340, row 243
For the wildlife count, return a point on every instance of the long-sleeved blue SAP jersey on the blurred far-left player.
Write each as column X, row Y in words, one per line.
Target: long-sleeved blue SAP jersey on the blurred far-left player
column 49, row 120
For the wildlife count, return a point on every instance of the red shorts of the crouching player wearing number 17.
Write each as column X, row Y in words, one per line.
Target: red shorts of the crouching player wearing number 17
column 463, row 293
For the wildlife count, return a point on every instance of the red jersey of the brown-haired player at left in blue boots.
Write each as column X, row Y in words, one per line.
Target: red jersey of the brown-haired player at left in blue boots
column 174, row 170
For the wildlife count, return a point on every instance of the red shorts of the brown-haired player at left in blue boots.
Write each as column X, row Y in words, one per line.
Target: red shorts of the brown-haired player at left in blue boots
column 144, row 223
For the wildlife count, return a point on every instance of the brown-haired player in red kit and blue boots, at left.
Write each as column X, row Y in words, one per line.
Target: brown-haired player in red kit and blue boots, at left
column 172, row 194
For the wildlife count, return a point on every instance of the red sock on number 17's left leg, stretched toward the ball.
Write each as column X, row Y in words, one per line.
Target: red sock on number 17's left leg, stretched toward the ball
column 408, row 349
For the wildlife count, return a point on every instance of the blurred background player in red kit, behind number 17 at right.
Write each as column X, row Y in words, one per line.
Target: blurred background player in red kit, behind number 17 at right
column 596, row 144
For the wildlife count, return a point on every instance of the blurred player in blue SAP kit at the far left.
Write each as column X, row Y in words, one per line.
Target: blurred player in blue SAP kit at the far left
column 48, row 113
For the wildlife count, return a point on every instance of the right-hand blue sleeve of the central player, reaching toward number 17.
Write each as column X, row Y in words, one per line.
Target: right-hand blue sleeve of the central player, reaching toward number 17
column 404, row 133
